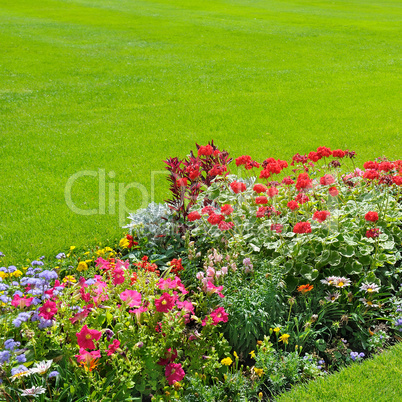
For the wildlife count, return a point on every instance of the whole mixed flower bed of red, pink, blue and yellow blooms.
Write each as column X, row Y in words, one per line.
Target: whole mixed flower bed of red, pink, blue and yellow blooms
column 238, row 289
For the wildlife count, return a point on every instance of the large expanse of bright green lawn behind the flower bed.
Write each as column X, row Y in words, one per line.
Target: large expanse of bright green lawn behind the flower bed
column 119, row 85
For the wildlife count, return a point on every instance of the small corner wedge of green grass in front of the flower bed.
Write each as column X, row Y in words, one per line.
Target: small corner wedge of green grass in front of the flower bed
column 375, row 380
